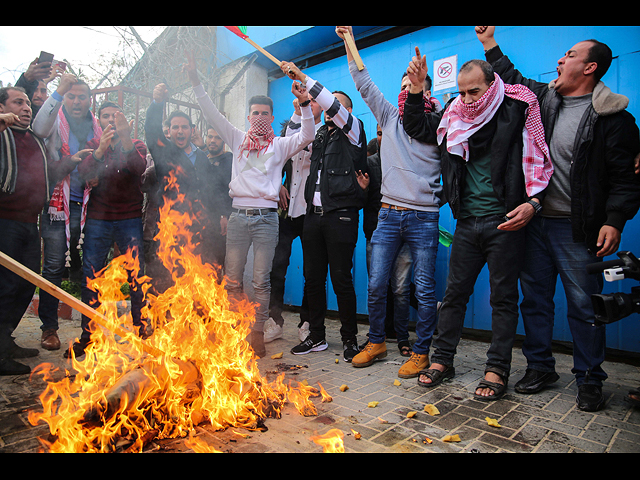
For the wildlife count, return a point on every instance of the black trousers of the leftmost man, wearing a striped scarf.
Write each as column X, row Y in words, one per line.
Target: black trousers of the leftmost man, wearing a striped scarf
column 20, row 241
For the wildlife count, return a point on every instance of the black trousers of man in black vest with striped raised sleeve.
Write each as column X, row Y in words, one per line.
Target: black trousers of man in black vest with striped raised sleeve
column 329, row 243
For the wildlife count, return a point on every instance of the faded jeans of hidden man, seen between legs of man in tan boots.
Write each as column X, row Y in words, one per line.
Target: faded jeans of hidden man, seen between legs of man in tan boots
column 400, row 285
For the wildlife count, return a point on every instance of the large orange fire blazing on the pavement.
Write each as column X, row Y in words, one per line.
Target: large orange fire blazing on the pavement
column 197, row 368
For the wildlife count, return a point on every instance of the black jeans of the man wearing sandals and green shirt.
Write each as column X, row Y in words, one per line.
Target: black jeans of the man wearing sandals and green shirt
column 477, row 242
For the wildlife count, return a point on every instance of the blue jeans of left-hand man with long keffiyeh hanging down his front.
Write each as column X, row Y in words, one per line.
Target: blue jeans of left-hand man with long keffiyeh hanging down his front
column 54, row 241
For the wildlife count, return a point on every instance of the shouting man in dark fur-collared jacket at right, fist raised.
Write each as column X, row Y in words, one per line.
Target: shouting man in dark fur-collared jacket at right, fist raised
column 593, row 141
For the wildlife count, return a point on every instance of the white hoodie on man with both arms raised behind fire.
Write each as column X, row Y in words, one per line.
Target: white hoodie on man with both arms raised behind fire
column 256, row 180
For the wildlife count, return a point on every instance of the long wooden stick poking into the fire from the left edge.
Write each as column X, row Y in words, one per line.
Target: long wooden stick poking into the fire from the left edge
column 70, row 300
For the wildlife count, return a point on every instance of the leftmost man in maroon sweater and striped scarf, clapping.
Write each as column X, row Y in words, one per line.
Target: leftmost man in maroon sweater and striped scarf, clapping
column 25, row 172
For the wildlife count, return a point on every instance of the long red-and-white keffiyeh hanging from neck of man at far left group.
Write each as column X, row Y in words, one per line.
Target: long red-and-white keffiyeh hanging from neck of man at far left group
column 59, row 203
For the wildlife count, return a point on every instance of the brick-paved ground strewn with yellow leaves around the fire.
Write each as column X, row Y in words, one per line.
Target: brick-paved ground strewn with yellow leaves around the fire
column 544, row 423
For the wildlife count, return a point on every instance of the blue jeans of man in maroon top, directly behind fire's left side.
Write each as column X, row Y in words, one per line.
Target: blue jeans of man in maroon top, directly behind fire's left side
column 99, row 237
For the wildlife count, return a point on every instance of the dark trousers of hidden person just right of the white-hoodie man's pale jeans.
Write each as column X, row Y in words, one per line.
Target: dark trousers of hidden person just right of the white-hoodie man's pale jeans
column 290, row 229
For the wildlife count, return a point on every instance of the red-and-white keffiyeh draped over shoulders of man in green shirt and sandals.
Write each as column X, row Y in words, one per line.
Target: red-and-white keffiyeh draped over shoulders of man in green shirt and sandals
column 461, row 121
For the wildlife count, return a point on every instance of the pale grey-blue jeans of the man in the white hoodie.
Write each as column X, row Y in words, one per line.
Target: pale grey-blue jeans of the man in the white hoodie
column 243, row 231
